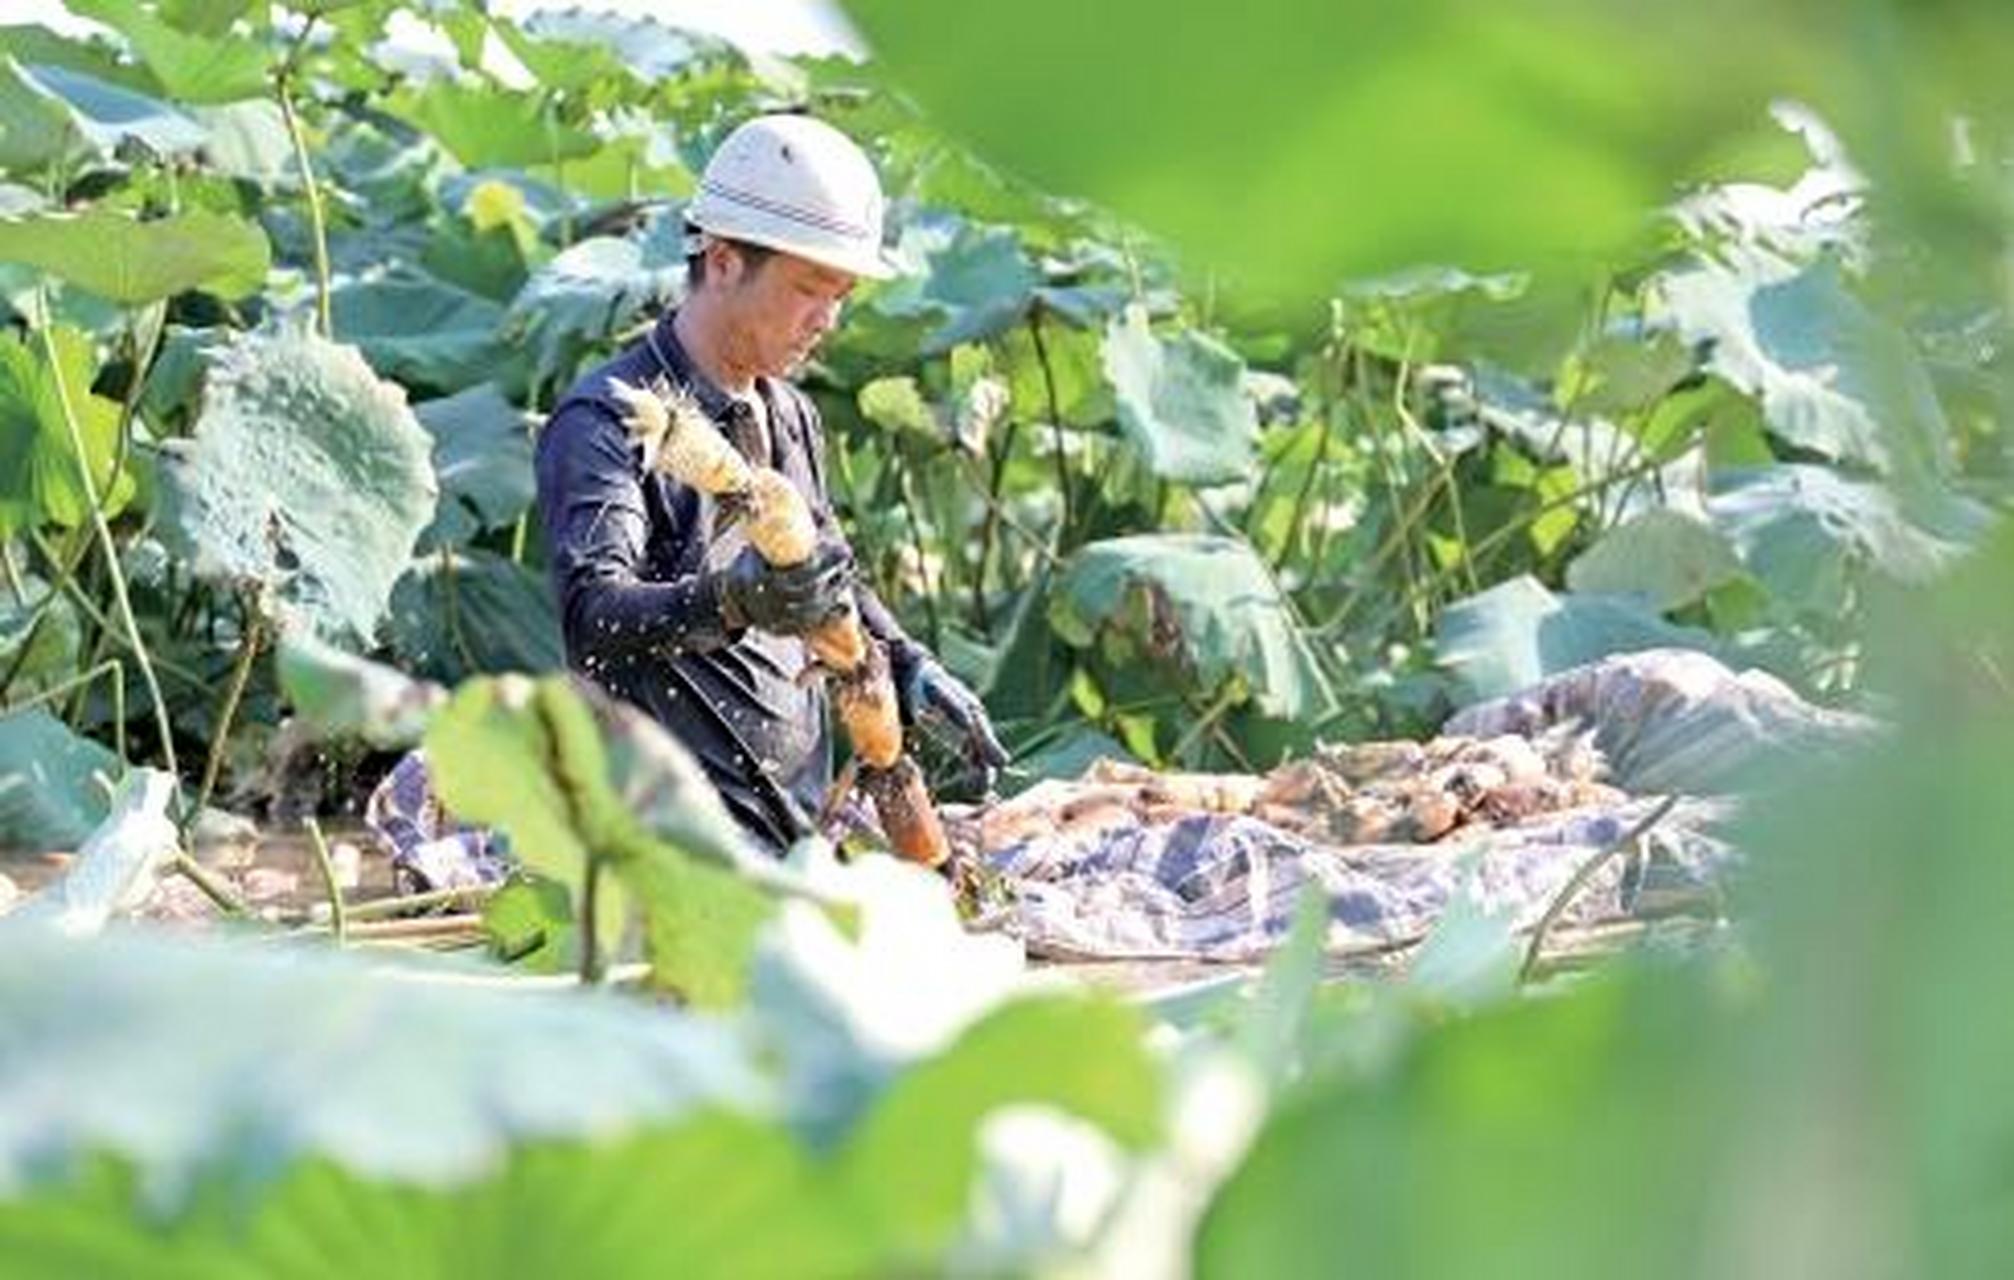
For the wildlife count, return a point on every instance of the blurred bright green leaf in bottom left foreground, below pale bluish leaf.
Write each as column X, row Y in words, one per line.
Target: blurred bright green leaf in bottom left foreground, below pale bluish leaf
column 589, row 1209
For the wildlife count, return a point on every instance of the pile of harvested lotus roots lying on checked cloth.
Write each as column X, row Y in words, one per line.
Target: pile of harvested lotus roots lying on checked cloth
column 1342, row 796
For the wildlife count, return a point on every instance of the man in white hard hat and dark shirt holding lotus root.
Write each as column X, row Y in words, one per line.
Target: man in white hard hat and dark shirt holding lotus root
column 660, row 605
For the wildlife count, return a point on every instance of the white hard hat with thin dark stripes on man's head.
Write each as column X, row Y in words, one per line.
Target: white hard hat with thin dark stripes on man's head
column 799, row 186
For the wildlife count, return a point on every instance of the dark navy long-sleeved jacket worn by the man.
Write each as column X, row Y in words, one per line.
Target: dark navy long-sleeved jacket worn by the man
column 631, row 556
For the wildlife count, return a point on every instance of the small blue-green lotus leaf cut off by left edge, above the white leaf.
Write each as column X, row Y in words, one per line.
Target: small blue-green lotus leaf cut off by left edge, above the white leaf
column 49, row 782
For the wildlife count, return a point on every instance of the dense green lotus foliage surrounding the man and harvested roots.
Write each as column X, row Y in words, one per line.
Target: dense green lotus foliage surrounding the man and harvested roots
column 1256, row 381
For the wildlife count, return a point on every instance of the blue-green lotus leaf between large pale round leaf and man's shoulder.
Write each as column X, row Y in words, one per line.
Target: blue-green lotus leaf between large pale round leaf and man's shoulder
column 482, row 456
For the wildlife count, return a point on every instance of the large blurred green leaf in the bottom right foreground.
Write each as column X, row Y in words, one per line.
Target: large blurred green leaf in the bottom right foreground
column 1489, row 1140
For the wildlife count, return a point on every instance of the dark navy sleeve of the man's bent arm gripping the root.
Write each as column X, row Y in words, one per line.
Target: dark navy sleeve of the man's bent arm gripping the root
column 593, row 510
